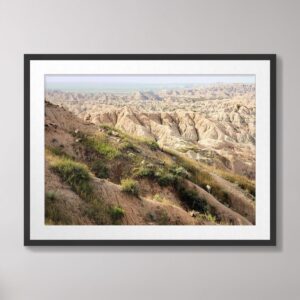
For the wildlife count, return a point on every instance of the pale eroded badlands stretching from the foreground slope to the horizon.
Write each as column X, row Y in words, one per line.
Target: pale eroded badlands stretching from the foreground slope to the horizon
column 220, row 133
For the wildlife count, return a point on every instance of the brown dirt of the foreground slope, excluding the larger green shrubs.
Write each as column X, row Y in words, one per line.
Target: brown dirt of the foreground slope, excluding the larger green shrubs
column 155, row 204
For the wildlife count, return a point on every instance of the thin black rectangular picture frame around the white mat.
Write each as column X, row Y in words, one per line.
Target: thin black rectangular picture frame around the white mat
column 31, row 242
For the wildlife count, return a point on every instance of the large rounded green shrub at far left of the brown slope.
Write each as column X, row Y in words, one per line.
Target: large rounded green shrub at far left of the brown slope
column 75, row 174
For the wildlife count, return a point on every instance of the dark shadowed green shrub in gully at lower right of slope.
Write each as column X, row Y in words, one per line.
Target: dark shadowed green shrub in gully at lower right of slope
column 192, row 200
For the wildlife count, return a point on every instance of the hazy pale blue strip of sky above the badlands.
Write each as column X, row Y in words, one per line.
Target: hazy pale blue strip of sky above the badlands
column 90, row 83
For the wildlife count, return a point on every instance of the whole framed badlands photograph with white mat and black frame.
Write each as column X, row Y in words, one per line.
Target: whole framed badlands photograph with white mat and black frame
column 150, row 149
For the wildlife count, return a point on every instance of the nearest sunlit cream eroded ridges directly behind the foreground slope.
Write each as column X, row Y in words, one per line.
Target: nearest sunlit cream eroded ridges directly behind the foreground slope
column 225, row 140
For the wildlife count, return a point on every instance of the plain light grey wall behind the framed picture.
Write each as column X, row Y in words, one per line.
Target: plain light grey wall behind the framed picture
column 143, row 26
